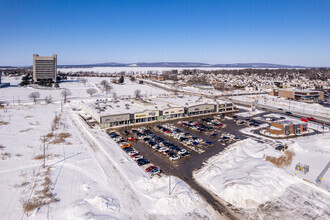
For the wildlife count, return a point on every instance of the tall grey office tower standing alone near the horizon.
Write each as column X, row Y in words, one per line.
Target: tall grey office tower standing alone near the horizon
column 44, row 68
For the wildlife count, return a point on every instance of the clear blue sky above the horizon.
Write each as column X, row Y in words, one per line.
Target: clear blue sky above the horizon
column 295, row 32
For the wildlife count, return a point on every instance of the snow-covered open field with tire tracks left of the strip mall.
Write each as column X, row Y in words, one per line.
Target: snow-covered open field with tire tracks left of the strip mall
column 87, row 176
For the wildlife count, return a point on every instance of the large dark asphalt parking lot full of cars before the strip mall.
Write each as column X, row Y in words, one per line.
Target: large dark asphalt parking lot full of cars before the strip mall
column 178, row 147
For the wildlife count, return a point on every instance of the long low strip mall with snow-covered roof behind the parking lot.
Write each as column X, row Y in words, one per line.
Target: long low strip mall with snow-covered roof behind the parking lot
column 102, row 112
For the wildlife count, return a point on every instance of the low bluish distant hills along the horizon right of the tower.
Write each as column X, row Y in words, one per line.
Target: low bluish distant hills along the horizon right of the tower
column 184, row 64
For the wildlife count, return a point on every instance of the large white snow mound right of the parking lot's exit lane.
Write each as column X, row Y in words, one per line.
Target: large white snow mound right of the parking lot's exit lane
column 241, row 177
